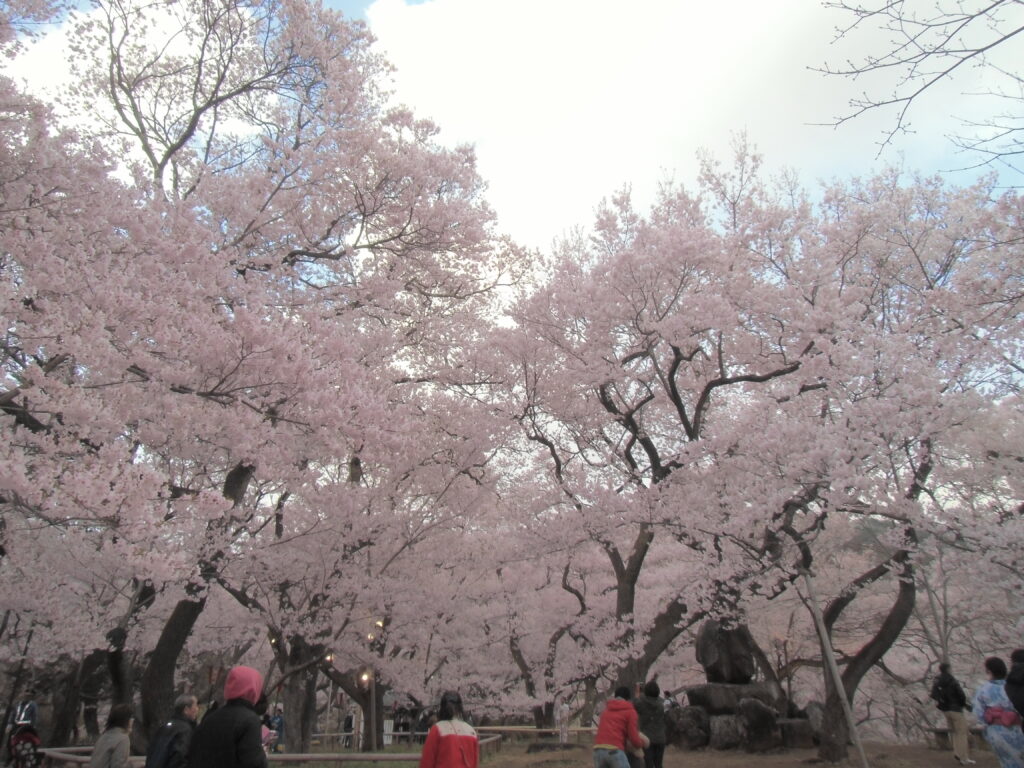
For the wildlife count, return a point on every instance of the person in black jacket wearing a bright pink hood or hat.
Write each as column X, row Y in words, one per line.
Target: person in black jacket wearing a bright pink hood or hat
column 232, row 738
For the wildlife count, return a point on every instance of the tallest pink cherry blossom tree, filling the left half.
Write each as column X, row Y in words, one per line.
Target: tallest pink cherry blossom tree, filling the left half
column 261, row 327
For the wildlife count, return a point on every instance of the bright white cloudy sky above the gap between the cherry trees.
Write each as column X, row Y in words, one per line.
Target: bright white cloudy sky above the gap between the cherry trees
column 568, row 101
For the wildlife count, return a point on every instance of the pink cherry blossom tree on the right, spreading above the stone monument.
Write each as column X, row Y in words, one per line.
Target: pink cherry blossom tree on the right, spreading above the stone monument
column 724, row 376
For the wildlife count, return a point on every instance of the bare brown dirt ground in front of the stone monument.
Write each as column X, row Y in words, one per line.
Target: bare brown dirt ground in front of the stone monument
column 879, row 756
